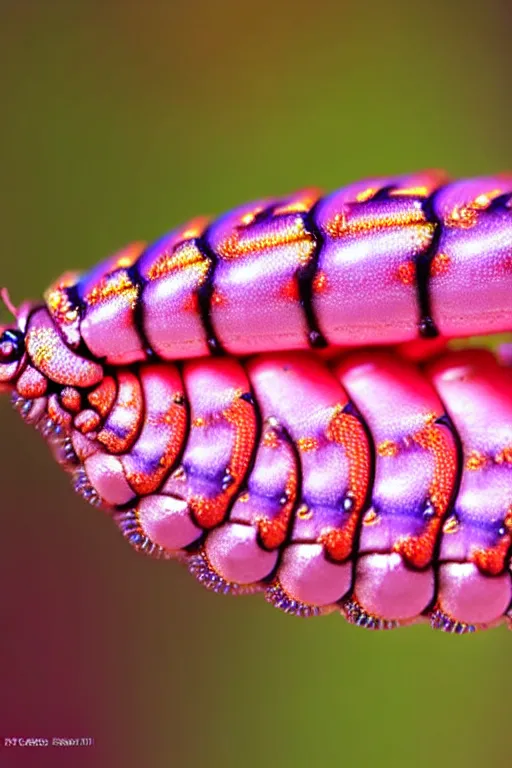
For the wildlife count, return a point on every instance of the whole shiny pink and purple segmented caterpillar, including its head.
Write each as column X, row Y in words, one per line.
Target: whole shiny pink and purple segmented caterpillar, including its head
column 200, row 390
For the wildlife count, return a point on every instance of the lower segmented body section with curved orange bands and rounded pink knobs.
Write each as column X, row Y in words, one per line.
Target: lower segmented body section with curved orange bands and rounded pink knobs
column 365, row 484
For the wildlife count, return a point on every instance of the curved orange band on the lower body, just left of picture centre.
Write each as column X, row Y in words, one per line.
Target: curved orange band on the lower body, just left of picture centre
column 209, row 512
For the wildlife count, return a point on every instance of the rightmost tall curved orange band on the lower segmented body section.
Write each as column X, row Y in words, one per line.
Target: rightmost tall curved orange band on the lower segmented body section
column 436, row 440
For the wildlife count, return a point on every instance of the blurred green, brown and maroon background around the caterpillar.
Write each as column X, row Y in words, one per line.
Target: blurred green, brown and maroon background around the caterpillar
column 118, row 121
